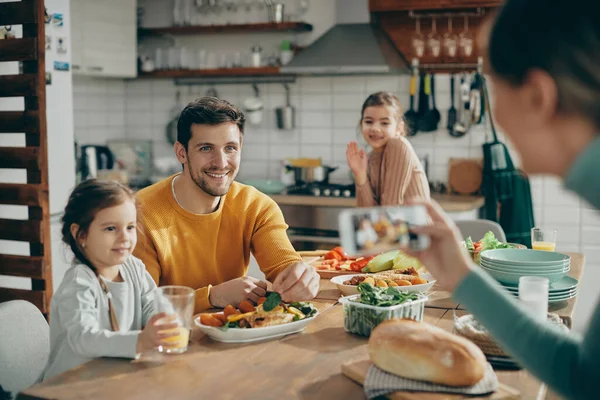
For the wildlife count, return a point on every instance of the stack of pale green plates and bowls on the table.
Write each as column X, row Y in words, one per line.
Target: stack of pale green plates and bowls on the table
column 508, row 265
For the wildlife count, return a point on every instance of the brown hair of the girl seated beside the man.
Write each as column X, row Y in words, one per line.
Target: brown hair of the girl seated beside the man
column 85, row 201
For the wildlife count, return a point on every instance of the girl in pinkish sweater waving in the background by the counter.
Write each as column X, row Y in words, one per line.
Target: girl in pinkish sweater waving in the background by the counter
column 392, row 172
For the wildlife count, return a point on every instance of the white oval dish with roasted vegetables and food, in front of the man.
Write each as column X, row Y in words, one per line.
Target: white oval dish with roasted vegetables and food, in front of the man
column 270, row 318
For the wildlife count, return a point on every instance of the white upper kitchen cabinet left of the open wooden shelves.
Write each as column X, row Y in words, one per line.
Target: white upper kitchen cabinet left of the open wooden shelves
column 104, row 38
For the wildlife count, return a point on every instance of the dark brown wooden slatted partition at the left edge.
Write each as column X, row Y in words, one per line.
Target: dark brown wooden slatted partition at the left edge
column 31, row 122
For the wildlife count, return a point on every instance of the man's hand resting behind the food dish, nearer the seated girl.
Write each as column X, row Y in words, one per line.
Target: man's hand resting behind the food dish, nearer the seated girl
column 234, row 291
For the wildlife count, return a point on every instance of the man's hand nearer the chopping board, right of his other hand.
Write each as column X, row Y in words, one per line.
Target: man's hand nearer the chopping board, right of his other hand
column 298, row 282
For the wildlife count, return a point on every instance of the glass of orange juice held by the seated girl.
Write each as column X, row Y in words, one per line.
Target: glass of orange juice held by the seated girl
column 178, row 303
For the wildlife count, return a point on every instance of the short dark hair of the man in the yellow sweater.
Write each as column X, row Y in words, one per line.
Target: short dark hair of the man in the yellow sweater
column 207, row 111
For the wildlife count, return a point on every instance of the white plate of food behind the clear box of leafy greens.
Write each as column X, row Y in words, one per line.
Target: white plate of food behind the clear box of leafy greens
column 348, row 284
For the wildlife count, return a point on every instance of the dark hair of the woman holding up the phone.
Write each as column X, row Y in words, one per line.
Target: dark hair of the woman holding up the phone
column 556, row 36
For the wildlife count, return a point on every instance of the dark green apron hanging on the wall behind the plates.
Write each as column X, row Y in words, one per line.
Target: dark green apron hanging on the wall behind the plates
column 506, row 189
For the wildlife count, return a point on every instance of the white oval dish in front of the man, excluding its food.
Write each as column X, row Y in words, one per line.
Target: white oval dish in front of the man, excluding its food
column 239, row 335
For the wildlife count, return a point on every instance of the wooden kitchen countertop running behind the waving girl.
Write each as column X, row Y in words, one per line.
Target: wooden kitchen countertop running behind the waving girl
column 450, row 203
